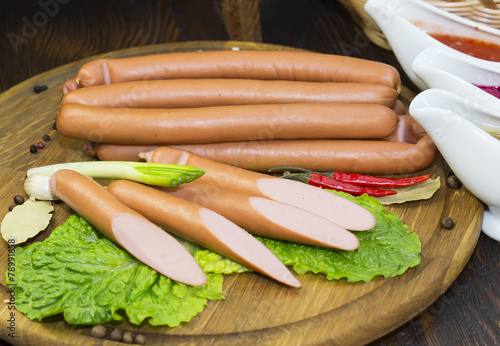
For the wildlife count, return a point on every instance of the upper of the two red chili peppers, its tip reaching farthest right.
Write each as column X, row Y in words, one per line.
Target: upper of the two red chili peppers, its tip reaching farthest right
column 371, row 181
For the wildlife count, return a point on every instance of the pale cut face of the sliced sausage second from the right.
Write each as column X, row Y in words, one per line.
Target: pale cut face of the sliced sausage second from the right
column 308, row 228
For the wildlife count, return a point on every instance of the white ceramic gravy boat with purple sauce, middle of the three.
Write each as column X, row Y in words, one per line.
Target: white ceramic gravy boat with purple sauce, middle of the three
column 458, row 73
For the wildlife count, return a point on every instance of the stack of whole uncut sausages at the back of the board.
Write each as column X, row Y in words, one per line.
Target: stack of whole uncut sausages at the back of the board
column 252, row 109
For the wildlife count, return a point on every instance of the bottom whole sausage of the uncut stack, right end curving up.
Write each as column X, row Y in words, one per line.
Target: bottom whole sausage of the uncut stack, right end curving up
column 415, row 151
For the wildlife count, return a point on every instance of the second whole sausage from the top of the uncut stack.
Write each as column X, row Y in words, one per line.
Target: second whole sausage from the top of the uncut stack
column 188, row 93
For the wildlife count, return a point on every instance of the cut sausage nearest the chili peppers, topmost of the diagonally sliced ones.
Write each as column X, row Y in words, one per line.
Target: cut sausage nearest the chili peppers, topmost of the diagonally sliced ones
column 339, row 210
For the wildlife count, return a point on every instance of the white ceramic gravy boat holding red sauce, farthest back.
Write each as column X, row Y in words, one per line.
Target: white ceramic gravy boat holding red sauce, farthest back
column 405, row 24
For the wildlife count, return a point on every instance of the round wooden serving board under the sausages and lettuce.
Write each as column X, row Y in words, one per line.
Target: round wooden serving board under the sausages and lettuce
column 255, row 310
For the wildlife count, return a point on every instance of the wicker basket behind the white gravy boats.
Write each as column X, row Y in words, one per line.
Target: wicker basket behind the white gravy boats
column 482, row 11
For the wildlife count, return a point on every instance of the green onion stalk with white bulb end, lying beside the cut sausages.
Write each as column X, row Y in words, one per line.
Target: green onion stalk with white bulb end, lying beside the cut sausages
column 159, row 174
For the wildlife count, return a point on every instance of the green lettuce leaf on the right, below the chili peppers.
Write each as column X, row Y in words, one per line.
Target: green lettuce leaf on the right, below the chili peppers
column 387, row 250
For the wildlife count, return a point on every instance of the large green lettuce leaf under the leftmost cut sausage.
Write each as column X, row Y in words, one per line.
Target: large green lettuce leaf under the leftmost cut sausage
column 90, row 280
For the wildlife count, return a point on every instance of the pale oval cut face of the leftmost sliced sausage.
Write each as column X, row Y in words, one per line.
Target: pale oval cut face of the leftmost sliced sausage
column 157, row 249
